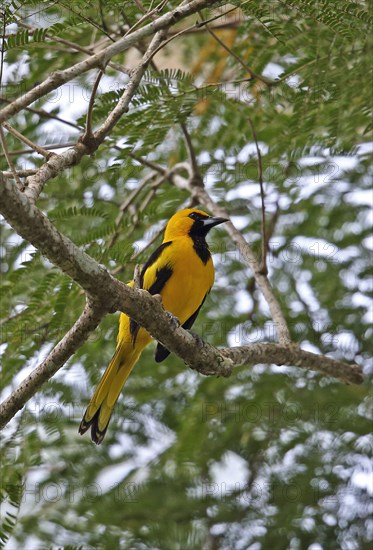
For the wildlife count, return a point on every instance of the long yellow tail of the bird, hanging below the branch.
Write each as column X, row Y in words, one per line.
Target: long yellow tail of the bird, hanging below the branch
column 98, row 413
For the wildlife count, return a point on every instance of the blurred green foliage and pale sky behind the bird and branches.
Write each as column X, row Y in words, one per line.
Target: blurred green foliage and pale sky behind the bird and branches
column 272, row 457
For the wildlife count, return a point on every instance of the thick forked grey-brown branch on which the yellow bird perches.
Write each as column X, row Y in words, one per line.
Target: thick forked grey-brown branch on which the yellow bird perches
column 107, row 294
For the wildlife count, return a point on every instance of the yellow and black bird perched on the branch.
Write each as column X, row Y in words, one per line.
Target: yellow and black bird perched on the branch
column 182, row 272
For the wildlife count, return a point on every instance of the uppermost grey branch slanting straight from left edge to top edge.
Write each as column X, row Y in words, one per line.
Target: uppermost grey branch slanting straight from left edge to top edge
column 100, row 59
